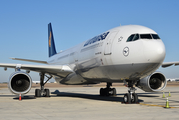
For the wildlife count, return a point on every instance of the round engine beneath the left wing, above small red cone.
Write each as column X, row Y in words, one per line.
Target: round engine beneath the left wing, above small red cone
column 20, row 82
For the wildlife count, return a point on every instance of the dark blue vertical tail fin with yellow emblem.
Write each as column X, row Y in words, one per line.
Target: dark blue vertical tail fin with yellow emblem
column 51, row 44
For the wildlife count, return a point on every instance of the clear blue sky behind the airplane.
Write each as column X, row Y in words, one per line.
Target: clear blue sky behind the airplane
column 24, row 30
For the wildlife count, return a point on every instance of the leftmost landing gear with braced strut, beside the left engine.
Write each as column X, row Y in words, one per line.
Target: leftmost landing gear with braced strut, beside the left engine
column 43, row 92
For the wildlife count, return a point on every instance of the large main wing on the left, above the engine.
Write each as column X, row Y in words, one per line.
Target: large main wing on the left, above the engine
column 58, row 70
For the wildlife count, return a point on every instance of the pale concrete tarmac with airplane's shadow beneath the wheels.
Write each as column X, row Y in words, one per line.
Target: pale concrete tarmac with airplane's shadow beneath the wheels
column 84, row 102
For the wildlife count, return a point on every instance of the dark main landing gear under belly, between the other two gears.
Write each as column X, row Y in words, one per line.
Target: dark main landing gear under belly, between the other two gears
column 108, row 91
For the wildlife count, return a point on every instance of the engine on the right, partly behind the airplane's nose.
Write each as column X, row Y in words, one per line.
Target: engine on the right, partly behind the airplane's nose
column 153, row 83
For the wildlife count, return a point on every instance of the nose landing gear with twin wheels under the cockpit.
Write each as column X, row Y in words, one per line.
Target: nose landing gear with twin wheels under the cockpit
column 131, row 96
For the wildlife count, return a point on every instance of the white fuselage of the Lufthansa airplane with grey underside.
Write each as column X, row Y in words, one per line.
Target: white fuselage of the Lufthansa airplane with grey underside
column 109, row 57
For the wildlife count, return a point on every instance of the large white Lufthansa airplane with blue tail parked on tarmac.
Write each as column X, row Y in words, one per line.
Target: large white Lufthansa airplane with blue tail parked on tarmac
column 128, row 54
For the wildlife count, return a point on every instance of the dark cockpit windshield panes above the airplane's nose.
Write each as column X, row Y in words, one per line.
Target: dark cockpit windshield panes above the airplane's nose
column 135, row 37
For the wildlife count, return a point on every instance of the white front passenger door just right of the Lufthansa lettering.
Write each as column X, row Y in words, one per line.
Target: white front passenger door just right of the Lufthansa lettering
column 109, row 42
